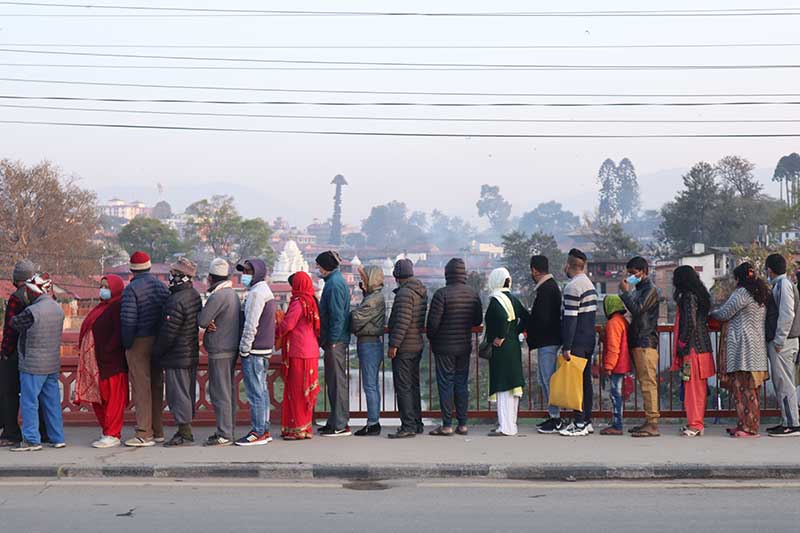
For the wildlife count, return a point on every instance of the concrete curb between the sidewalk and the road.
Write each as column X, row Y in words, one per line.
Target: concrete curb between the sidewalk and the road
column 302, row 471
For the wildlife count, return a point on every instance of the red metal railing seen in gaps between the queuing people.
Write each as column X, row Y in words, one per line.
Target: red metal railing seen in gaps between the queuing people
column 531, row 405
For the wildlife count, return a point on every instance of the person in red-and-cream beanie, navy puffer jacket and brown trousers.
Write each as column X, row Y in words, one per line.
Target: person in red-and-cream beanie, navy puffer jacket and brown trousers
column 140, row 312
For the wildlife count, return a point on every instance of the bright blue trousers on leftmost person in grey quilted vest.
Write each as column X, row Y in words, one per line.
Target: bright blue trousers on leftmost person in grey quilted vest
column 38, row 390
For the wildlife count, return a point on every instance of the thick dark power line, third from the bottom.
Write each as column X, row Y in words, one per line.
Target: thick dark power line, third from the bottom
column 397, row 104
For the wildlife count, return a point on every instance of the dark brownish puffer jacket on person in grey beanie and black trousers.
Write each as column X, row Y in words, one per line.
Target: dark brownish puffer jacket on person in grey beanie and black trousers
column 408, row 317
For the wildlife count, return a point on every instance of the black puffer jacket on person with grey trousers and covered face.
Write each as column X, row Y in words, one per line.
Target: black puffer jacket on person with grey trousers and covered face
column 178, row 344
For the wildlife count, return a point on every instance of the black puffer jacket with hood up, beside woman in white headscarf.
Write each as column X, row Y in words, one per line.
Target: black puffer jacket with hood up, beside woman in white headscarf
column 455, row 310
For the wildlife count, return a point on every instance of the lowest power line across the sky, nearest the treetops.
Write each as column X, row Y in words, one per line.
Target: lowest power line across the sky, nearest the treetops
column 407, row 134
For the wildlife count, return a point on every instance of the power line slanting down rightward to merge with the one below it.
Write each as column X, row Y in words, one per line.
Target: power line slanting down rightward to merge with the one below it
column 510, row 66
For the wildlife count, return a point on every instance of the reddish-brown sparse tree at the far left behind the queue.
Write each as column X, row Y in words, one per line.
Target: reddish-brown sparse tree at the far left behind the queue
column 47, row 218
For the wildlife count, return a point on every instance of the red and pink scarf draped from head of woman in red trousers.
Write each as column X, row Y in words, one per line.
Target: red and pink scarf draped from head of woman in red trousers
column 87, row 383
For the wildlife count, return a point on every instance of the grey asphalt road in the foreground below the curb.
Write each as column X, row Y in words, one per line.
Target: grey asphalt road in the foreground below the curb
column 460, row 505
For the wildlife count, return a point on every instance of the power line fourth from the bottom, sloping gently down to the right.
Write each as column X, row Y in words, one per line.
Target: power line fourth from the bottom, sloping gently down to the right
column 417, row 93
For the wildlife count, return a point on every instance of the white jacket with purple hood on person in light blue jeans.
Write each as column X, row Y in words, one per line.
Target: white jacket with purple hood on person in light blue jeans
column 258, row 332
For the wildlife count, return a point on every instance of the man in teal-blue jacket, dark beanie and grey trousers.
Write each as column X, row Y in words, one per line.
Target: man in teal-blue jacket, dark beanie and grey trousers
column 334, row 337
